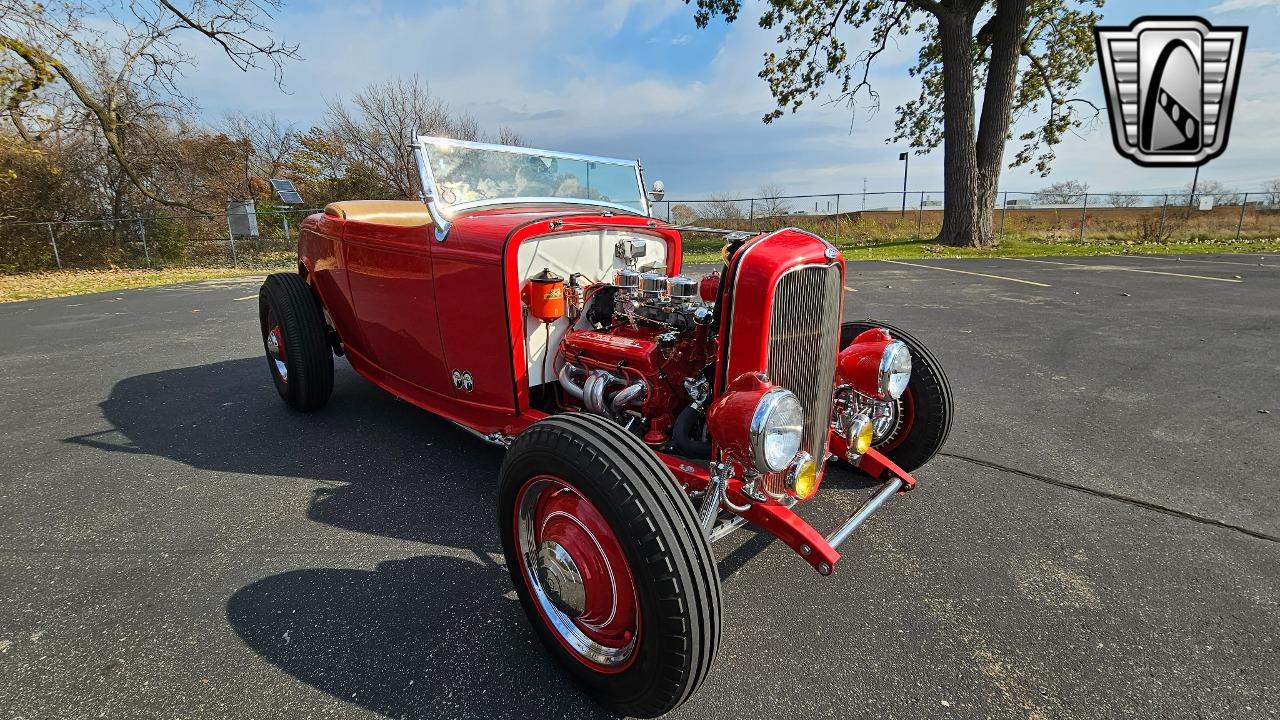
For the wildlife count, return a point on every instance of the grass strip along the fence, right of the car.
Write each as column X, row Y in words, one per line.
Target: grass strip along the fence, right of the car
column 707, row 250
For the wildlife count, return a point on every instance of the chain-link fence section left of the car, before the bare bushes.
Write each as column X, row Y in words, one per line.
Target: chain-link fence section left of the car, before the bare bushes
column 189, row 241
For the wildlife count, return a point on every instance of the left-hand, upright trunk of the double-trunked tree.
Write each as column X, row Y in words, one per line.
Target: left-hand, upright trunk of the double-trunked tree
column 961, row 226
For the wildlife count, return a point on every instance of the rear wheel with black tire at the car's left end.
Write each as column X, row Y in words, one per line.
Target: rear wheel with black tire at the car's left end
column 294, row 338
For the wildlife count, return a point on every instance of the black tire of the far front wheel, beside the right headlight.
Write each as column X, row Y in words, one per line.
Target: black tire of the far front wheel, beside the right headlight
column 925, row 407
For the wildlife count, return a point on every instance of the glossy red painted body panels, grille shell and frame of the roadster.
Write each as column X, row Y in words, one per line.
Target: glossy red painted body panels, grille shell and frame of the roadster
column 410, row 311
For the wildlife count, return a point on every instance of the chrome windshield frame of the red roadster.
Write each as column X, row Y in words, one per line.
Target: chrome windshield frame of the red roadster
column 444, row 217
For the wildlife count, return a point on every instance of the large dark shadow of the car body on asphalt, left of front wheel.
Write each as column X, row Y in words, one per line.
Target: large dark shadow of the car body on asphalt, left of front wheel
column 383, row 467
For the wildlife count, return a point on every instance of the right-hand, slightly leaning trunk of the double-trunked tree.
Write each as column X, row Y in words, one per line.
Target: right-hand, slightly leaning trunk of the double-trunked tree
column 1008, row 28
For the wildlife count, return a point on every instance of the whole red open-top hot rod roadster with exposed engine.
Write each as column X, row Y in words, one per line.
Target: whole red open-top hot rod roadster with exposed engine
column 532, row 299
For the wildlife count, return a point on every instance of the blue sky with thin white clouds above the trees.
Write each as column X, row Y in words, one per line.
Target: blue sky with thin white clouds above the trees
column 638, row 79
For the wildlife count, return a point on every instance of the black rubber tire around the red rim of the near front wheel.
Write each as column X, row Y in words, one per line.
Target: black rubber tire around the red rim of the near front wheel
column 637, row 690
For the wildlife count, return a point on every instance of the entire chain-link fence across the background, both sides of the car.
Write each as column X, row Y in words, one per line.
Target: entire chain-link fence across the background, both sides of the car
column 860, row 218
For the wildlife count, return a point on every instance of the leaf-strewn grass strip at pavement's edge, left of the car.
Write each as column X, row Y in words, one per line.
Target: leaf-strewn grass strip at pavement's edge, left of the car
column 61, row 284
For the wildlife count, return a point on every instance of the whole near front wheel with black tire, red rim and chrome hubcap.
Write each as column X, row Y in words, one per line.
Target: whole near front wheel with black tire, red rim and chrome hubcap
column 610, row 563
